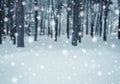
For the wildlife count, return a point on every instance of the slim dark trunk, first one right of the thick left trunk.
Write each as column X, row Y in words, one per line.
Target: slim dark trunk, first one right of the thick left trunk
column 36, row 20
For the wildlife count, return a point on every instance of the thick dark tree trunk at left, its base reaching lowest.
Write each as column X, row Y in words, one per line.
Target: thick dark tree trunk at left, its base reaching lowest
column 20, row 23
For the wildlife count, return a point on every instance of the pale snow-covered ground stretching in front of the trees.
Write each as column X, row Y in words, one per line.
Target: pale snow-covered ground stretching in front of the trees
column 48, row 62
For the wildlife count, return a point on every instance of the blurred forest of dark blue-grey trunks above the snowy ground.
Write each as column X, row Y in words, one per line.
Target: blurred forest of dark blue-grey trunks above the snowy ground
column 54, row 18
